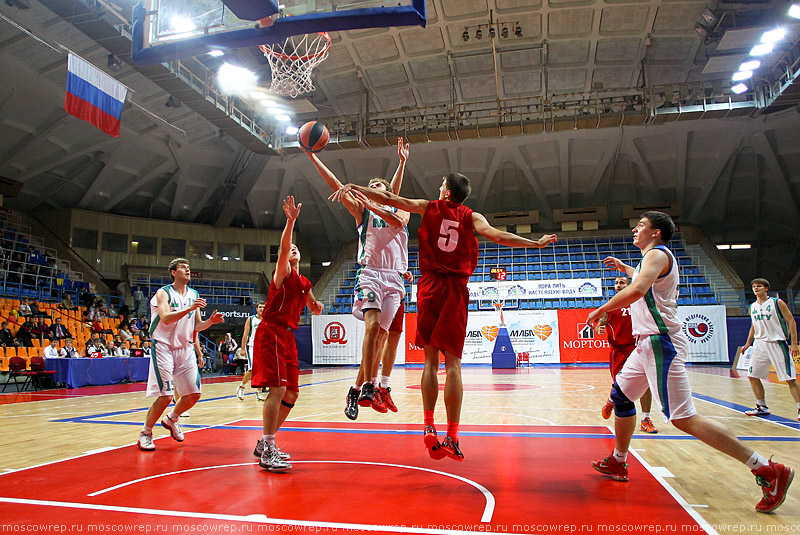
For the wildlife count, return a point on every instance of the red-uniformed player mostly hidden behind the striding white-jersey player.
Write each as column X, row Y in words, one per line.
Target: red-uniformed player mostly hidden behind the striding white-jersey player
column 620, row 335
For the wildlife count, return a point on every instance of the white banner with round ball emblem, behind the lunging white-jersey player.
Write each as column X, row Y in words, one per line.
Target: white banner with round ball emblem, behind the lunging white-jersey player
column 707, row 331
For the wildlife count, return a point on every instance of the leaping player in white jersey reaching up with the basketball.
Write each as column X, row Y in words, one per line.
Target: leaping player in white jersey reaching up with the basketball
column 379, row 288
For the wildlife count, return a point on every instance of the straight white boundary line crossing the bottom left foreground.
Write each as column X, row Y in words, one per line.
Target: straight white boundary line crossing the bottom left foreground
column 240, row 518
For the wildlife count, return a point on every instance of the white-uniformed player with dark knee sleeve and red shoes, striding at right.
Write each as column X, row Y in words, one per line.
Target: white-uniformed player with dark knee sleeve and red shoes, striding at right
column 658, row 363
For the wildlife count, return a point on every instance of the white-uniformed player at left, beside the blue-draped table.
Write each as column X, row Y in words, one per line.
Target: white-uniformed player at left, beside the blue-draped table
column 174, row 320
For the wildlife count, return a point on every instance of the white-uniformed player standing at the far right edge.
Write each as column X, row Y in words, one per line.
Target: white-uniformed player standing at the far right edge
column 773, row 324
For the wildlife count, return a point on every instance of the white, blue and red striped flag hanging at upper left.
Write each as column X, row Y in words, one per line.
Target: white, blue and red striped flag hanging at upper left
column 94, row 96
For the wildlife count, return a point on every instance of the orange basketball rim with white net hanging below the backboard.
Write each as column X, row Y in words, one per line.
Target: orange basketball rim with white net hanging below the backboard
column 293, row 60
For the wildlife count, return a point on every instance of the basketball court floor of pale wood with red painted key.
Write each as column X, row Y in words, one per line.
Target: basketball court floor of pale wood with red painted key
column 70, row 464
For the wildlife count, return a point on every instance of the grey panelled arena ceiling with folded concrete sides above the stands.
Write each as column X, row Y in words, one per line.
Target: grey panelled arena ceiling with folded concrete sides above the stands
column 736, row 175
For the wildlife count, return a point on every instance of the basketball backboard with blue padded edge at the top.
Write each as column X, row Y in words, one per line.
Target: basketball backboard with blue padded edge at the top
column 165, row 30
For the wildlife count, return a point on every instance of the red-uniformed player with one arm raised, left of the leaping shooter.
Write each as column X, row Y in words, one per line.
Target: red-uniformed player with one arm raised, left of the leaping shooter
column 275, row 351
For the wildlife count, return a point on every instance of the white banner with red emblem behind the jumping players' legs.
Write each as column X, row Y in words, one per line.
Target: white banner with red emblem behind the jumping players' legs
column 337, row 339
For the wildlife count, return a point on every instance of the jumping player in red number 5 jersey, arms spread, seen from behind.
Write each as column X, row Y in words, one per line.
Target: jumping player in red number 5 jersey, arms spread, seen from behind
column 448, row 254
